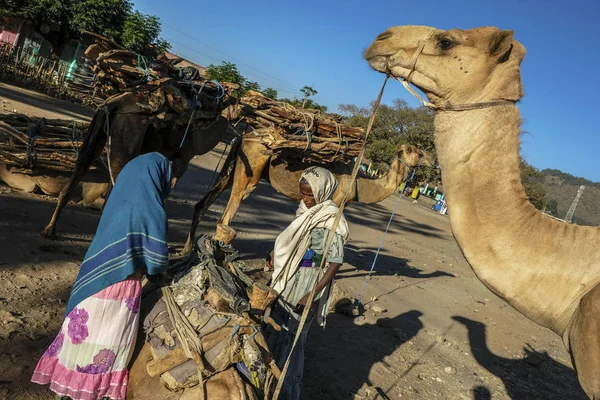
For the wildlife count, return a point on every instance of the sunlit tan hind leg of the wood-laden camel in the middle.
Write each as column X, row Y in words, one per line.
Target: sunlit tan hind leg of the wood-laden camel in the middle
column 250, row 166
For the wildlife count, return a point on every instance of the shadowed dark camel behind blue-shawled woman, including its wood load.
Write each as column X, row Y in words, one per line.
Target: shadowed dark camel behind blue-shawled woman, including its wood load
column 155, row 107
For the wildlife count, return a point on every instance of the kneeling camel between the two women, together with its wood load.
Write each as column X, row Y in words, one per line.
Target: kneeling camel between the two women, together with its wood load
column 202, row 332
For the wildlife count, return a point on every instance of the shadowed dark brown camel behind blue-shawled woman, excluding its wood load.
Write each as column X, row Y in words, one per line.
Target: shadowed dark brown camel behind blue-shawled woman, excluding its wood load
column 131, row 133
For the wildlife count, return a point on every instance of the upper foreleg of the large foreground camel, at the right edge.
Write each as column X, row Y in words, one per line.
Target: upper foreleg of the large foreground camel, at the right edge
column 584, row 342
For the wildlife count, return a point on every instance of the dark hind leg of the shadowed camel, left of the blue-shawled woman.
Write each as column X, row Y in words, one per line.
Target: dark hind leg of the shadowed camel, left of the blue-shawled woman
column 91, row 149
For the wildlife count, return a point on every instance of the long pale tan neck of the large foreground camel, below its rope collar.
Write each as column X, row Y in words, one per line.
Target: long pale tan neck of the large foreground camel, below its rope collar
column 519, row 254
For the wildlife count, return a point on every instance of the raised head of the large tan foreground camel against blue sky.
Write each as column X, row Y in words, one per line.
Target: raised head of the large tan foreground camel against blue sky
column 452, row 67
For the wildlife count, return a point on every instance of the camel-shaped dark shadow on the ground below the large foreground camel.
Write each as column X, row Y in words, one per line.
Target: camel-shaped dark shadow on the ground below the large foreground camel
column 536, row 376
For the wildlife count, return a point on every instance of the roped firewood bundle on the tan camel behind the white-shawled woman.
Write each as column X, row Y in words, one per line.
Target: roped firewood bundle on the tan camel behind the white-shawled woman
column 298, row 133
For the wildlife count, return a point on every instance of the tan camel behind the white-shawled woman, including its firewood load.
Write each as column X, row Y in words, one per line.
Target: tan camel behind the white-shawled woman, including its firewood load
column 281, row 141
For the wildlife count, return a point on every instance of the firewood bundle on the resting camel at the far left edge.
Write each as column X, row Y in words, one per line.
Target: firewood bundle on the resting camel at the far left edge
column 31, row 142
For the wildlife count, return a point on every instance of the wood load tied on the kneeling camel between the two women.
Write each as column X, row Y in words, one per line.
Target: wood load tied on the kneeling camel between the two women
column 214, row 303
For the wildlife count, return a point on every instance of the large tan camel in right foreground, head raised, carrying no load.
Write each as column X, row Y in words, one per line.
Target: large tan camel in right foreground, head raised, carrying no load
column 546, row 269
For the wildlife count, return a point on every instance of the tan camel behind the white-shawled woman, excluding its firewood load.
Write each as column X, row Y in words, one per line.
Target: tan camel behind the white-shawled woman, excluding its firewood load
column 250, row 165
